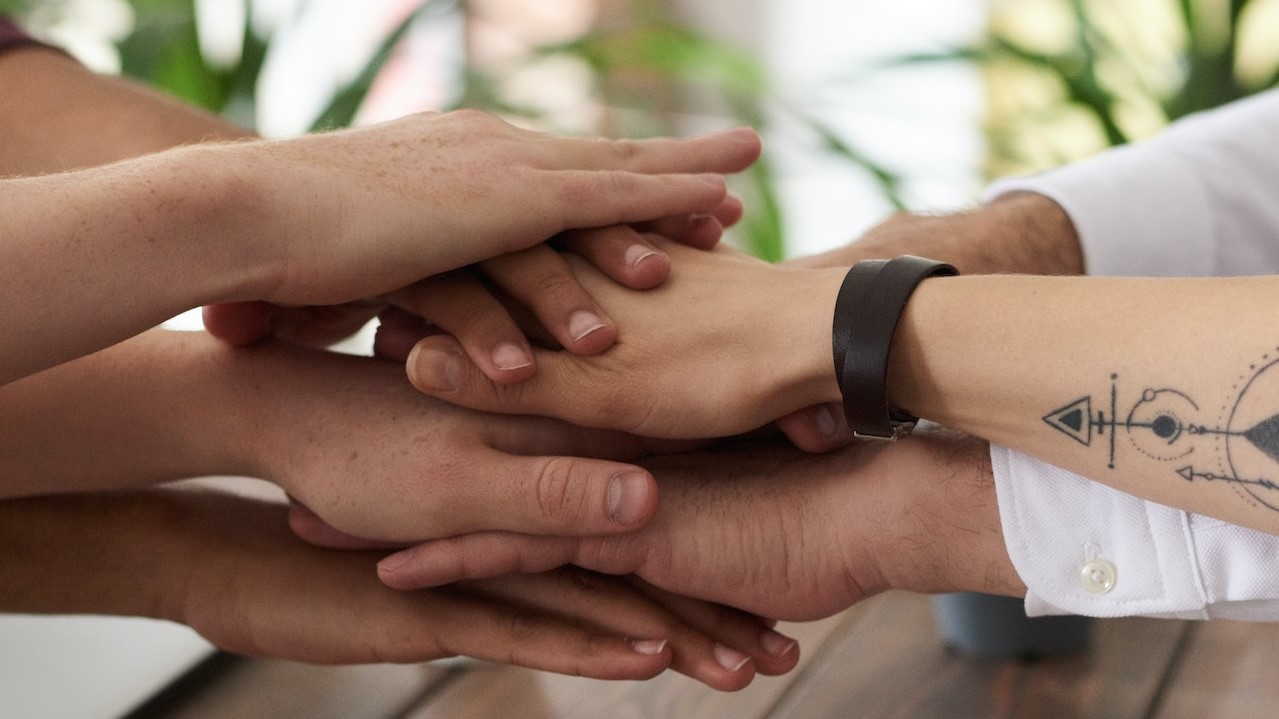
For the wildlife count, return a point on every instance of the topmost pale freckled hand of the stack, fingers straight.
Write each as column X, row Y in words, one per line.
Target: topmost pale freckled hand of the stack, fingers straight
column 347, row 216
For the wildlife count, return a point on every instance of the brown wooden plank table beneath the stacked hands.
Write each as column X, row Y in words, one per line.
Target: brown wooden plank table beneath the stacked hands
column 882, row 660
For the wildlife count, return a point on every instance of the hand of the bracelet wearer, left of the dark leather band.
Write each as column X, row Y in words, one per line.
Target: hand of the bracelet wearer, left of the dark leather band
column 727, row 345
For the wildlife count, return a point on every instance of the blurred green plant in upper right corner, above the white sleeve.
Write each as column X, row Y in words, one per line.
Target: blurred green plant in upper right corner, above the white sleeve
column 1071, row 77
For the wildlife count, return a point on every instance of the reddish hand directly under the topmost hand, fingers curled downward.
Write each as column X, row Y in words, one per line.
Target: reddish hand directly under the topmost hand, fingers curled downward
column 462, row 304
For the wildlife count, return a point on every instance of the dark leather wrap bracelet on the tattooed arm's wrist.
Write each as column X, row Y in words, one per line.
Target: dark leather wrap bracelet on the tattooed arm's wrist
column 868, row 310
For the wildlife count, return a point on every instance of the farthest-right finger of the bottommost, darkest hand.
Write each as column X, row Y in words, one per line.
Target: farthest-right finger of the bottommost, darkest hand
column 742, row 638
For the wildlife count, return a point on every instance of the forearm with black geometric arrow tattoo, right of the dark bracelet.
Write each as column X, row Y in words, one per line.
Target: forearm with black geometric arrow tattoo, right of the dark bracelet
column 1165, row 390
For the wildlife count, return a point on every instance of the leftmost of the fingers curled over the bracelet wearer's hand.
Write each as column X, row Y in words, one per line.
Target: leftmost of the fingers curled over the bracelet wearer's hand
column 457, row 304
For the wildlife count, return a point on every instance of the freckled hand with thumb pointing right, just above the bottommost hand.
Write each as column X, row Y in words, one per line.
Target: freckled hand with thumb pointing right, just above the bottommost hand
column 352, row 441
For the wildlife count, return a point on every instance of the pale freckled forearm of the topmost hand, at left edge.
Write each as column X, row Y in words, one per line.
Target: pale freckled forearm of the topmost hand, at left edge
column 97, row 257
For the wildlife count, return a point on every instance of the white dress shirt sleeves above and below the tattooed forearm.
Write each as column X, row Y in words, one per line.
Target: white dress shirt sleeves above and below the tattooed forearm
column 1203, row 199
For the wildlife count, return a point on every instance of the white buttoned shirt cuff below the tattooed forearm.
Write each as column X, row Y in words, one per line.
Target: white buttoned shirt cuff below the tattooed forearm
column 1163, row 562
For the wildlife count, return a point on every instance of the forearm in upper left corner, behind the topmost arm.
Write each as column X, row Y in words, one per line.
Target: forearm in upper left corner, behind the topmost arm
column 58, row 116
